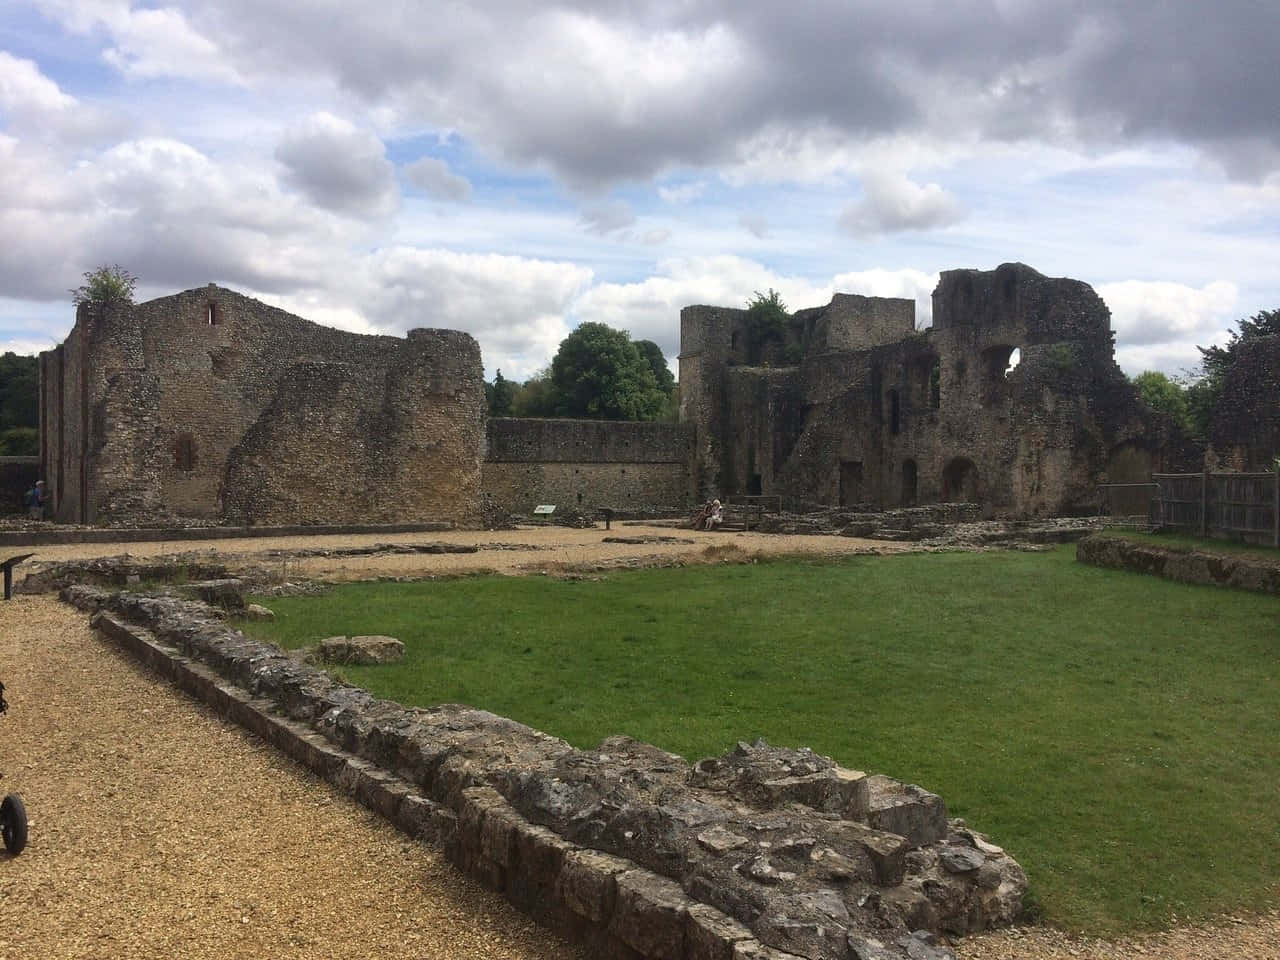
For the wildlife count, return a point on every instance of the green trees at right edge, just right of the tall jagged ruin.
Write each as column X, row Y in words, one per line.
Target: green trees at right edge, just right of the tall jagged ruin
column 1192, row 399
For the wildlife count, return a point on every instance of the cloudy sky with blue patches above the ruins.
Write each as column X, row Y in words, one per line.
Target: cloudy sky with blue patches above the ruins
column 515, row 168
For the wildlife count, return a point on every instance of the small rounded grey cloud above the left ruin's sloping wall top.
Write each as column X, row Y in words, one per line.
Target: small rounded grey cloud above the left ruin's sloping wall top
column 340, row 167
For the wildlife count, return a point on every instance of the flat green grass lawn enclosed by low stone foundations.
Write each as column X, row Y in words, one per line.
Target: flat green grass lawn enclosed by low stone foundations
column 1117, row 733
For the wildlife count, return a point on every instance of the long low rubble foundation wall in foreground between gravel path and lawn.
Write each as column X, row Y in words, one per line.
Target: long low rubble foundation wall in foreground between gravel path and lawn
column 760, row 854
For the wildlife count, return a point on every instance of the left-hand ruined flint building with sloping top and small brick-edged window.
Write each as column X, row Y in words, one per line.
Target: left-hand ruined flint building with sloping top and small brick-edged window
column 209, row 404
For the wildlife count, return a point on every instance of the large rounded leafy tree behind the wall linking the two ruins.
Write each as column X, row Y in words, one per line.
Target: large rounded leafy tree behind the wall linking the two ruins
column 600, row 374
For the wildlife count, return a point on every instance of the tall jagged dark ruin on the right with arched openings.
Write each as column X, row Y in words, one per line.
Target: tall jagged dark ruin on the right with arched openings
column 854, row 406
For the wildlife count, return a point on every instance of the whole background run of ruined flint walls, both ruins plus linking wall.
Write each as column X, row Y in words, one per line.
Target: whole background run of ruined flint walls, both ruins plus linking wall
column 211, row 405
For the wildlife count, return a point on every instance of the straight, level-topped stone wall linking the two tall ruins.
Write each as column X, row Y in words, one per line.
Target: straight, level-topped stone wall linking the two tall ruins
column 588, row 465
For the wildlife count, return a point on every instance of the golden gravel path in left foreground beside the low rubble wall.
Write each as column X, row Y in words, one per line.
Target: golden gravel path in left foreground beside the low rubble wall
column 159, row 831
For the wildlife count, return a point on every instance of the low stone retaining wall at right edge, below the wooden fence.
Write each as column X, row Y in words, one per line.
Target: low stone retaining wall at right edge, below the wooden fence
column 1238, row 570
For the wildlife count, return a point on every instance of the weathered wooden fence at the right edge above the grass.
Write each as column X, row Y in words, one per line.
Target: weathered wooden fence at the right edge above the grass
column 1220, row 505
